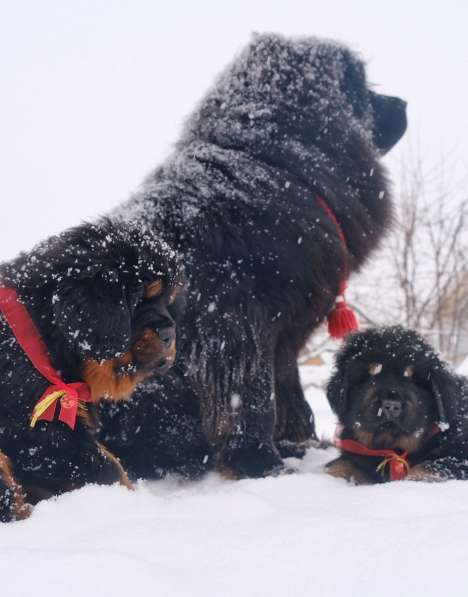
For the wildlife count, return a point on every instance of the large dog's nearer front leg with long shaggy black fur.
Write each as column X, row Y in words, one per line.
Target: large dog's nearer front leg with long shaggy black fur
column 230, row 369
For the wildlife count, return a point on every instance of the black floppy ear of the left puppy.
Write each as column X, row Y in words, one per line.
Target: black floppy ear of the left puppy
column 93, row 315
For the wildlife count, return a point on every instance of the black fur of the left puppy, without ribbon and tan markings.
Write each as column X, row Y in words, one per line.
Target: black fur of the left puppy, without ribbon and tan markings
column 85, row 291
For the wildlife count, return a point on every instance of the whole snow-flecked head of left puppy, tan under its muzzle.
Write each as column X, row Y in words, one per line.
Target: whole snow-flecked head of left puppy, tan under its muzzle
column 110, row 295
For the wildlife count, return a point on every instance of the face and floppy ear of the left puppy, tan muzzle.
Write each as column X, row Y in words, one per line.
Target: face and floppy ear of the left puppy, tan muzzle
column 117, row 310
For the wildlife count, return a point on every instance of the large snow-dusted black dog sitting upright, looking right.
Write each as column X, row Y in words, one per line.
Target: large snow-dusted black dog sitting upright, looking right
column 280, row 157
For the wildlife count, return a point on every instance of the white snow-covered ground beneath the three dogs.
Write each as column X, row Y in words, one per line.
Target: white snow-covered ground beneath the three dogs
column 297, row 535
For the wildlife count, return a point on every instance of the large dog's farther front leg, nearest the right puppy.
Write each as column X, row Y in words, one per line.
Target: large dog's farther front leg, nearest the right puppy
column 295, row 419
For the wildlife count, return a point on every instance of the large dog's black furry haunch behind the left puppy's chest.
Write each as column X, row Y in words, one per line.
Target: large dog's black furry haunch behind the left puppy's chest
column 177, row 445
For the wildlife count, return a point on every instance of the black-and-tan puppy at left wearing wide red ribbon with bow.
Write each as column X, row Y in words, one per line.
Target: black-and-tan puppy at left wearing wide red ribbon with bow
column 103, row 300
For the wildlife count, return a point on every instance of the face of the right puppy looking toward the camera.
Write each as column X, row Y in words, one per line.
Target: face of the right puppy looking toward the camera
column 386, row 406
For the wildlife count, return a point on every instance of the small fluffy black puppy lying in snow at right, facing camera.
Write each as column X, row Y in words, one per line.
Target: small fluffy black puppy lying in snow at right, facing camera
column 403, row 413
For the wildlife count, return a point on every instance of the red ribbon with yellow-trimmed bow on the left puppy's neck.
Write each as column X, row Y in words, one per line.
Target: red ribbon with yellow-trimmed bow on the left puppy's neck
column 27, row 335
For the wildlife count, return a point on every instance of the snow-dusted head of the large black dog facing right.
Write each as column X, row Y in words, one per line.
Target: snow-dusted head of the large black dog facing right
column 300, row 88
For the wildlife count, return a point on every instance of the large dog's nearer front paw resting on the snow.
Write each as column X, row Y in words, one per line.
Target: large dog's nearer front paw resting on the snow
column 252, row 461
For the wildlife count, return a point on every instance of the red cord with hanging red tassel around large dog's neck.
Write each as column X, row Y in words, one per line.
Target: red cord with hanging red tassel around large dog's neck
column 341, row 319
